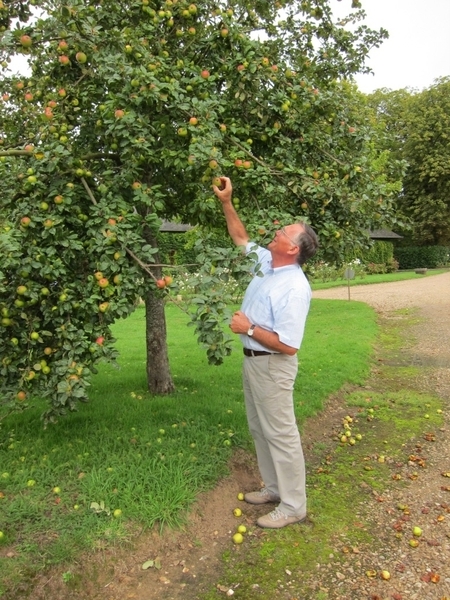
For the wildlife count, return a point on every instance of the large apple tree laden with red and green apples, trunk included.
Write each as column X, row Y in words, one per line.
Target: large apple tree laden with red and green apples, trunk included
column 128, row 112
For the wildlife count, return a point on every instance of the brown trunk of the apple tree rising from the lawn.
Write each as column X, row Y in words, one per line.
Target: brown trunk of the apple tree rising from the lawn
column 159, row 379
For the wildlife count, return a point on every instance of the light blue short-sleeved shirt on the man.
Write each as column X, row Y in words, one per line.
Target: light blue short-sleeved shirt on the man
column 278, row 301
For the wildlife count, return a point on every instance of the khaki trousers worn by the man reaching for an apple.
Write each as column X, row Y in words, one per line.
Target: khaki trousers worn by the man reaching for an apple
column 268, row 389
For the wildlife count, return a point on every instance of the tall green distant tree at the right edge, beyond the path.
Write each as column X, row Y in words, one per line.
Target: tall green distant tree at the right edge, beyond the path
column 418, row 132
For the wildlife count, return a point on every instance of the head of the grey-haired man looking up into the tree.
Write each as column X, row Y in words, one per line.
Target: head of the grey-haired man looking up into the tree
column 294, row 243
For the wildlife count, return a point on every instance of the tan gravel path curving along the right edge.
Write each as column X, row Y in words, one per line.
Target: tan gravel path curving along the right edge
column 422, row 573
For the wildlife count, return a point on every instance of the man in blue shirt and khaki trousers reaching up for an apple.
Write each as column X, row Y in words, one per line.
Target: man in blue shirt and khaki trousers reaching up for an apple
column 271, row 324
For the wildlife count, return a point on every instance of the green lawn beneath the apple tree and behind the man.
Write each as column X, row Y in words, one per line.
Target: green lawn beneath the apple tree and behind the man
column 147, row 456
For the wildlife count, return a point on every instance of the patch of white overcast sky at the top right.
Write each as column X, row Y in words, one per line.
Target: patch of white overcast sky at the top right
column 418, row 49
